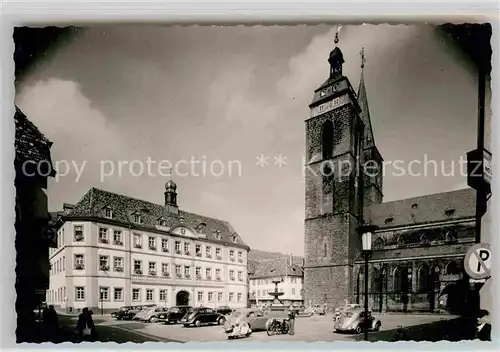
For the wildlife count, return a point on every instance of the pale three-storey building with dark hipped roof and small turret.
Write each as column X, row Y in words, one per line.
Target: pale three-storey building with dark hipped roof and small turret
column 115, row 250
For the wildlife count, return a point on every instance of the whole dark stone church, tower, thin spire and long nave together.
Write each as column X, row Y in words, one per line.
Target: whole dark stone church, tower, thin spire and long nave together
column 420, row 243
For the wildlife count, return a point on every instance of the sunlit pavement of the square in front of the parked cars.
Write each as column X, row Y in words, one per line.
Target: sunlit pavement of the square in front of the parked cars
column 317, row 328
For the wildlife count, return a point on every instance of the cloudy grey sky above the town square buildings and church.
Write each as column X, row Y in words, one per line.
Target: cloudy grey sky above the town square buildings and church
column 233, row 93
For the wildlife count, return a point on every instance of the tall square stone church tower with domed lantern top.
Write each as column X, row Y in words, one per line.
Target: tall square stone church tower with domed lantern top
column 334, row 186
